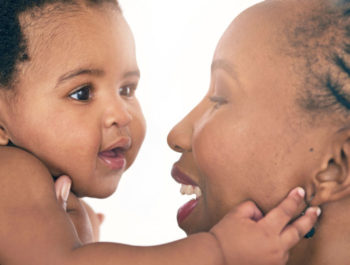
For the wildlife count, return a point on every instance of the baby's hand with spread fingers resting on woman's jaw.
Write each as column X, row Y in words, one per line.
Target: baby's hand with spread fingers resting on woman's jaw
column 248, row 238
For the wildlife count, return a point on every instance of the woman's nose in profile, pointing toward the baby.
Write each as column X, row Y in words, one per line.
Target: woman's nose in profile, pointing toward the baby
column 180, row 137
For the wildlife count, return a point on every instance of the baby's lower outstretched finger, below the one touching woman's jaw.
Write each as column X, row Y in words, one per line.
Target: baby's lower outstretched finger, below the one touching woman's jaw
column 300, row 227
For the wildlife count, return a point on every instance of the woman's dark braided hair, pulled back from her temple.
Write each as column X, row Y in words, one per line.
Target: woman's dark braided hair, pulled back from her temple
column 320, row 39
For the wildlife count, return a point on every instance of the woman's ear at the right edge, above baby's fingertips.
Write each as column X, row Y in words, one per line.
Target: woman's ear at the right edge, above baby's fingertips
column 332, row 182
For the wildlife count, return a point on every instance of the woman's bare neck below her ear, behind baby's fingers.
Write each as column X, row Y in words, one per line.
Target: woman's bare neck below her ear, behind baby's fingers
column 331, row 242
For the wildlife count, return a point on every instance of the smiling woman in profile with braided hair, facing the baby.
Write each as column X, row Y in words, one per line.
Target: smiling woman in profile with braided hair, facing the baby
column 275, row 117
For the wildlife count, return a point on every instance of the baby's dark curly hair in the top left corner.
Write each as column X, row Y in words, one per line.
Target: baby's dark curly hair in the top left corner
column 13, row 44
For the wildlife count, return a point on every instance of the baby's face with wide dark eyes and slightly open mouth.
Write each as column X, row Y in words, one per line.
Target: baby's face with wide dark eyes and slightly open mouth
column 75, row 106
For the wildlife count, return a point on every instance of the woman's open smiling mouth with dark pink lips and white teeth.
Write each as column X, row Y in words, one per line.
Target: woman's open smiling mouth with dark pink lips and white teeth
column 188, row 187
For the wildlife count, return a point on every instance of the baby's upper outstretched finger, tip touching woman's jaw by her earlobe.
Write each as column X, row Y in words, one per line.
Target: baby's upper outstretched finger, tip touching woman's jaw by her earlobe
column 280, row 216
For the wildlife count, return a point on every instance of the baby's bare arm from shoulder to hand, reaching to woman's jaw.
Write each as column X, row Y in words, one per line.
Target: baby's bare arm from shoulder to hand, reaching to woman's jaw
column 59, row 242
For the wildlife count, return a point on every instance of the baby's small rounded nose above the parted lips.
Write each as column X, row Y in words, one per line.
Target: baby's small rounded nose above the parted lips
column 116, row 113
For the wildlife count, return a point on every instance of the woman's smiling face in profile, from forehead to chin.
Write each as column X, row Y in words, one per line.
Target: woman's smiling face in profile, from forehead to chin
column 247, row 138
